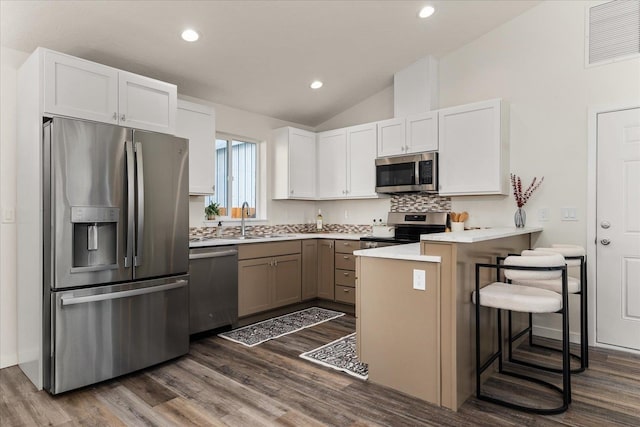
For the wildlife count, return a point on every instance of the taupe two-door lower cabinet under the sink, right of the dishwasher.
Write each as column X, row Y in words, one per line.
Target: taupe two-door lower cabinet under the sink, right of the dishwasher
column 269, row 276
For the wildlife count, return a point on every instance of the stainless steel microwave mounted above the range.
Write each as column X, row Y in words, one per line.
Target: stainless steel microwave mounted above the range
column 413, row 173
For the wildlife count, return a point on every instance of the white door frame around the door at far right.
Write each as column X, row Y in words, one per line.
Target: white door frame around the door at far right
column 592, row 200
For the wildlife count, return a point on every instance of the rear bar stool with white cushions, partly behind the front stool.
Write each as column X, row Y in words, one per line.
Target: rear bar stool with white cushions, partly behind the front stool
column 575, row 256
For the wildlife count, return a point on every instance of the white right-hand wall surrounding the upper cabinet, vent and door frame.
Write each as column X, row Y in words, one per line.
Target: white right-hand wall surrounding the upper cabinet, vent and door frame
column 536, row 63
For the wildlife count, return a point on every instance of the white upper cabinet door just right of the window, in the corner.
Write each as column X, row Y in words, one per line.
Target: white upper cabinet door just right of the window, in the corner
column 302, row 164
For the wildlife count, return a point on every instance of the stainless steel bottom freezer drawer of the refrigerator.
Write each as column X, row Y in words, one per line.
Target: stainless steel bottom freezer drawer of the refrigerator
column 104, row 332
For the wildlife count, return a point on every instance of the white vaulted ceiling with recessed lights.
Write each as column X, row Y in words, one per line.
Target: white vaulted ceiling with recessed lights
column 258, row 56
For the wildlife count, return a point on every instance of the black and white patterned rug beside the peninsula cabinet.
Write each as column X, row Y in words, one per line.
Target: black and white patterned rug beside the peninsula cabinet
column 340, row 355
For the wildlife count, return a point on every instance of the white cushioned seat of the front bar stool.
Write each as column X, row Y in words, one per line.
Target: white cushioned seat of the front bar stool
column 519, row 298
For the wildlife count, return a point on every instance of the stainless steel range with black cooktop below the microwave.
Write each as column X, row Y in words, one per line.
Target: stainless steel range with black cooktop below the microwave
column 408, row 228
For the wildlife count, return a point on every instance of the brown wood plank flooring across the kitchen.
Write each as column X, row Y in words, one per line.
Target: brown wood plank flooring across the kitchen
column 221, row 383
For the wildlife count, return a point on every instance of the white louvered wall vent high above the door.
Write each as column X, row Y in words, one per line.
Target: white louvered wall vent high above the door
column 613, row 31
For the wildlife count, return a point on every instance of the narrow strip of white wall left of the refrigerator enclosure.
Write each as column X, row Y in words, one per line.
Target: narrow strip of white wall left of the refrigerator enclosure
column 10, row 60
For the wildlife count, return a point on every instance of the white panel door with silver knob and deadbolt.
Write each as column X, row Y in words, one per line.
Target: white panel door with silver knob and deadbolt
column 618, row 229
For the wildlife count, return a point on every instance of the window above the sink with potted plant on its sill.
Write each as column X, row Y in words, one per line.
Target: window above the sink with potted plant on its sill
column 236, row 176
